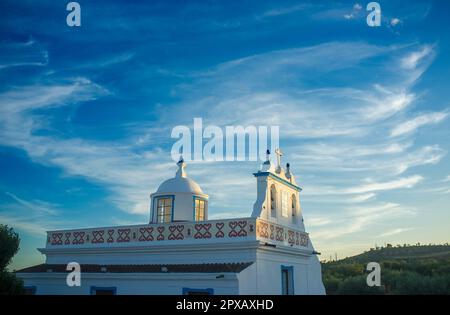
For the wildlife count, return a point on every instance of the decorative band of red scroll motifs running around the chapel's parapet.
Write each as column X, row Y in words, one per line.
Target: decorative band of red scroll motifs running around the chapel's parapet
column 220, row 229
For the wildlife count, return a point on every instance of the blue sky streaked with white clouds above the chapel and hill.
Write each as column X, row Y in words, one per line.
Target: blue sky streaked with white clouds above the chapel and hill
column 86, row 113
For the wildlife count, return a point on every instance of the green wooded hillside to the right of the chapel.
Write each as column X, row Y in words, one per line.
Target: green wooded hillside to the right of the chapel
column 406, row 269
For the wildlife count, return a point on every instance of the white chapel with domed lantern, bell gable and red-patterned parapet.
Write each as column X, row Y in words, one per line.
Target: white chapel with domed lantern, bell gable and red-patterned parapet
column 180, row 251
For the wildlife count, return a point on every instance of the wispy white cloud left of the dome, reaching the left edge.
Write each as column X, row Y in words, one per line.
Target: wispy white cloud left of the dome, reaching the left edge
column 108, row 163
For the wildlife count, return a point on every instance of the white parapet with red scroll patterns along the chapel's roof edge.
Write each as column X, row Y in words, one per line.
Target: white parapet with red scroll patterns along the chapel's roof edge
column 214, row 231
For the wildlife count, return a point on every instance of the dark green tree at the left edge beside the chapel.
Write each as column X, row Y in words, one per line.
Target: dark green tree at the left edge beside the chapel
column 9, row 245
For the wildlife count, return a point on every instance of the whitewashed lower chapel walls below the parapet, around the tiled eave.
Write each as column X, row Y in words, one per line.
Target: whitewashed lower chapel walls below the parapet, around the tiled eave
column 262, row 277
